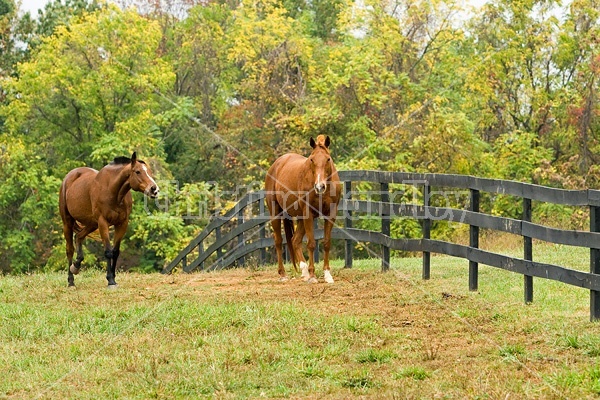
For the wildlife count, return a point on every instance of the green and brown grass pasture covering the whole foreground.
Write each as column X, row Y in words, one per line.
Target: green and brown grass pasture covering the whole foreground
column 243, row 334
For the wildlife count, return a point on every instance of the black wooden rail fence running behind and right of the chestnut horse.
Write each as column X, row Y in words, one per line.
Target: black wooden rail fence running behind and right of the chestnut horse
column 241, row 230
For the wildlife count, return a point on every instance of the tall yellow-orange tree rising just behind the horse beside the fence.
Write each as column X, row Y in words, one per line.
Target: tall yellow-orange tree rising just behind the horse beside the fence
column 262, row 86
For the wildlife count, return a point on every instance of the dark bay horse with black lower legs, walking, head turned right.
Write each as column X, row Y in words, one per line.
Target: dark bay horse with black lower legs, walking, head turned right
column 91, row 200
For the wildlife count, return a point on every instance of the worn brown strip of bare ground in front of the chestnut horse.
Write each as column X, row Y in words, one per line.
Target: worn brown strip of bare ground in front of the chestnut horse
column 426, row 314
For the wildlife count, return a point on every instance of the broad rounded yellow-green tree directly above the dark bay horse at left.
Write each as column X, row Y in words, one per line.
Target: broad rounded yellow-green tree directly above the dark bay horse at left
column 91, row 91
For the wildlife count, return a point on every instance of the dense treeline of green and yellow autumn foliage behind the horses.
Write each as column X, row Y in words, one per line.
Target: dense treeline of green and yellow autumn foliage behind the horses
column 211, row 93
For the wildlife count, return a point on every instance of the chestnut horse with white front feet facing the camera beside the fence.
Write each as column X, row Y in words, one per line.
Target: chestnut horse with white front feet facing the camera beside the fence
column 305, row 189
